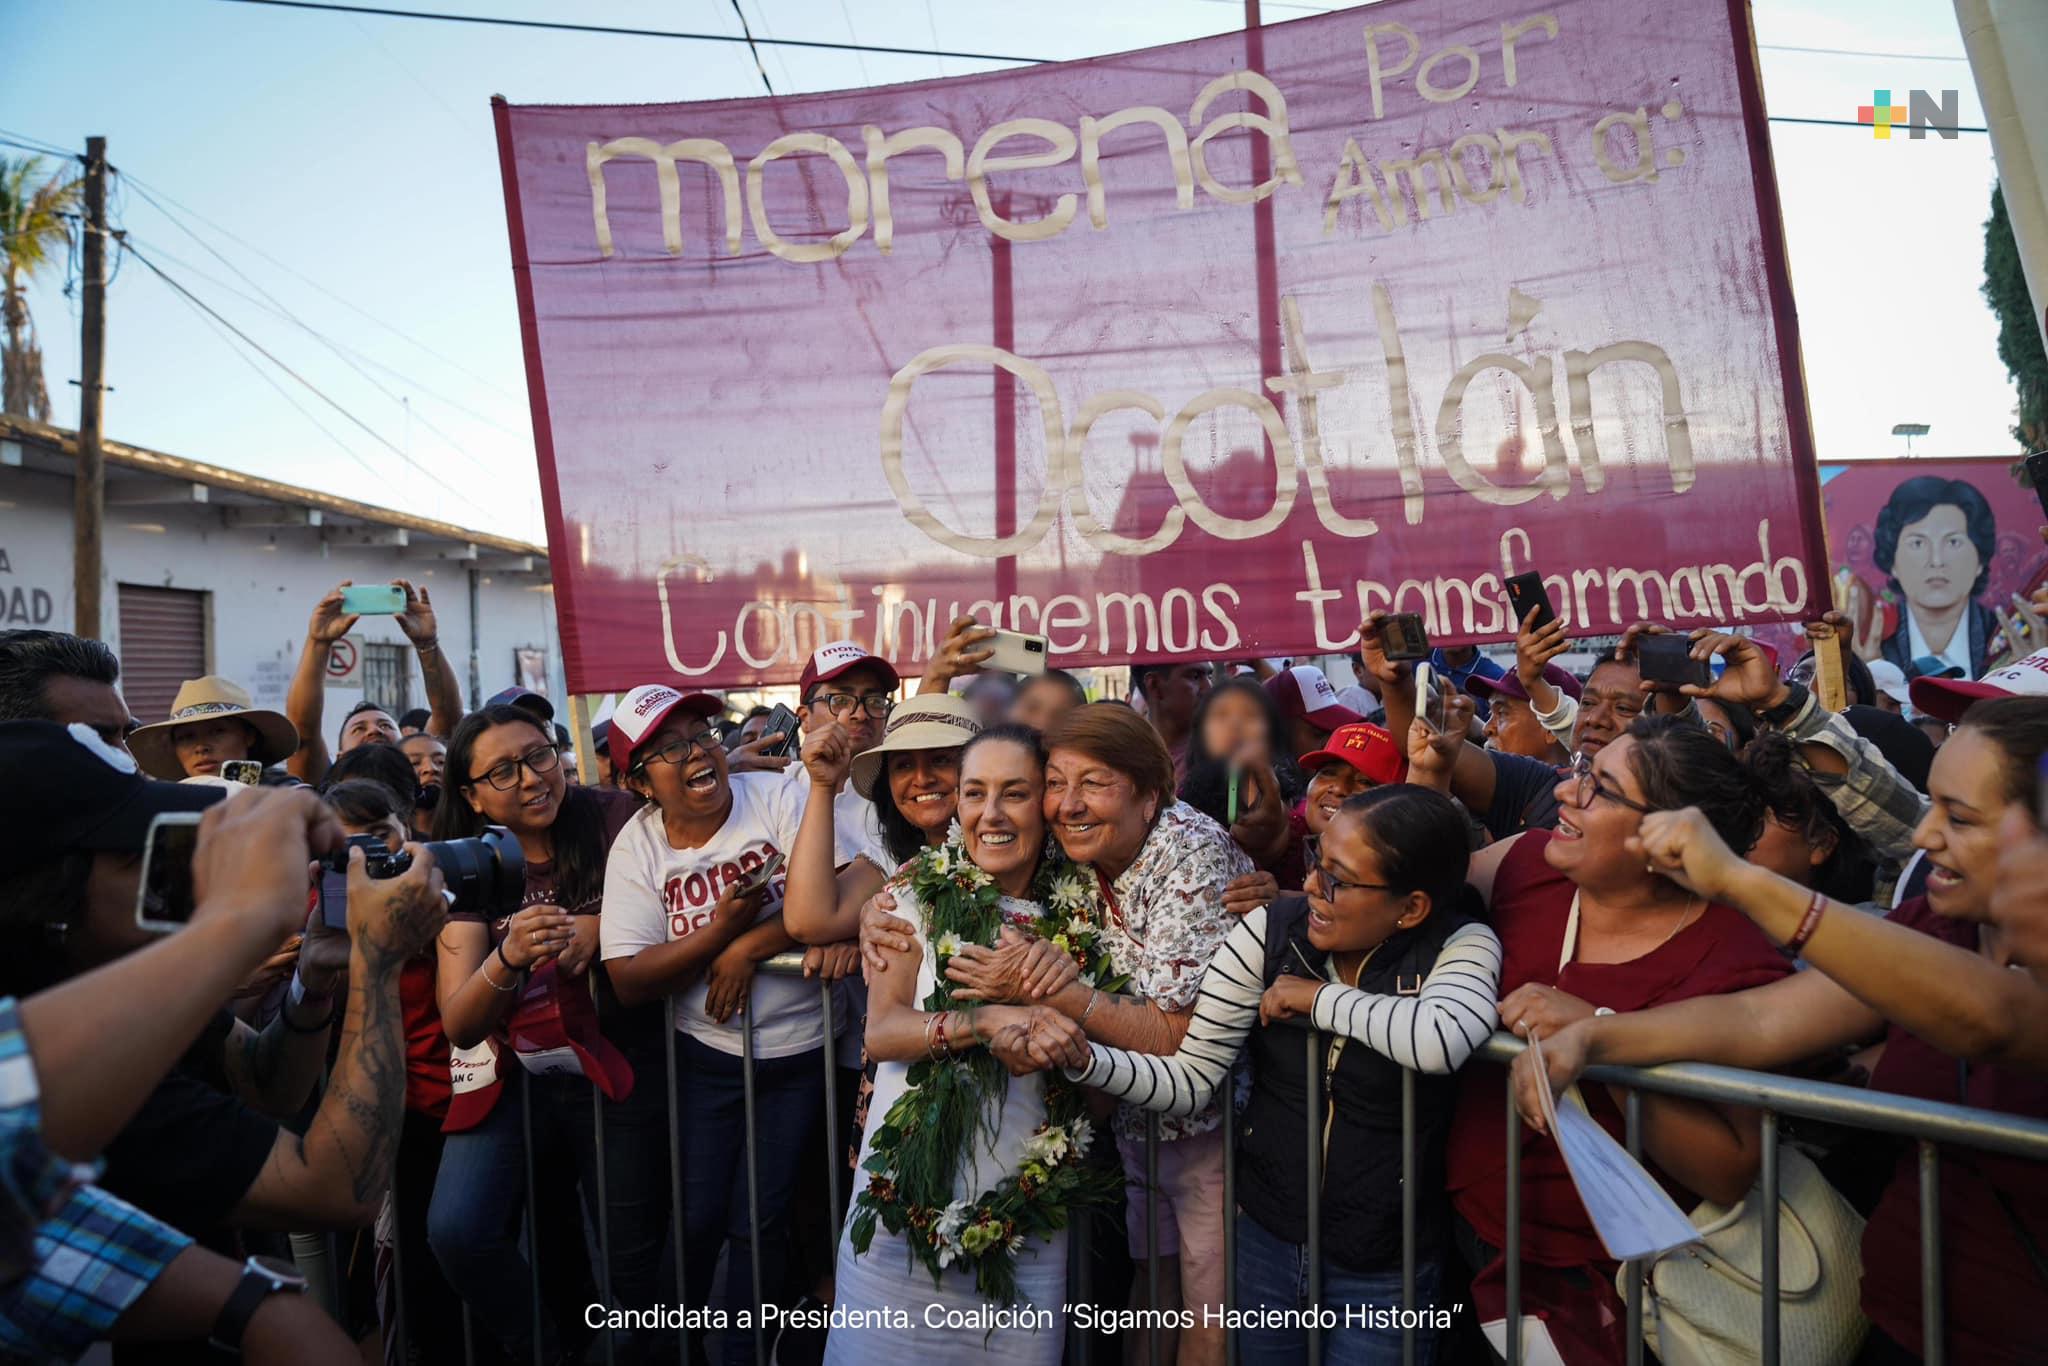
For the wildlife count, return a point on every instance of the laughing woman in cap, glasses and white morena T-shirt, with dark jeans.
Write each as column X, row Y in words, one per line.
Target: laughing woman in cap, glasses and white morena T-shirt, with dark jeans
column 693, row 906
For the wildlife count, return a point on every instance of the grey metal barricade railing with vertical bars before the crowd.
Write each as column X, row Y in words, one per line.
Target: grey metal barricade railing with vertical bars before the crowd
column 1926, row 1123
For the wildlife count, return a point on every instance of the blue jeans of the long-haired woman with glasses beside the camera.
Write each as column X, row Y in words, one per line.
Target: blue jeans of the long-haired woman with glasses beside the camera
column 480, row 1201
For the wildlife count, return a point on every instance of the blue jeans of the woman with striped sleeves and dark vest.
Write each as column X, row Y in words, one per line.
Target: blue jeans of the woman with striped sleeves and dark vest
column 1275, row 1275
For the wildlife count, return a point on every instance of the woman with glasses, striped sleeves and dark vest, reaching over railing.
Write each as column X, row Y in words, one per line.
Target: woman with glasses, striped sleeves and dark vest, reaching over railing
column 1390, row 957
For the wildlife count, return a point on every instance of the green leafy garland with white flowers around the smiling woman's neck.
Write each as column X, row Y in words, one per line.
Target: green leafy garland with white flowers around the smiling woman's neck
column 921, row 1142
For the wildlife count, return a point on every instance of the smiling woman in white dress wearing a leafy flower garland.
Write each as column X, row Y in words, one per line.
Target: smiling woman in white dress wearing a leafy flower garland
column 978, row 1232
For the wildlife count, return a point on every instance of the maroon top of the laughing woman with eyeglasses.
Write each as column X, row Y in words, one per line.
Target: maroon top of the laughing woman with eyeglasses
column 1713, row 955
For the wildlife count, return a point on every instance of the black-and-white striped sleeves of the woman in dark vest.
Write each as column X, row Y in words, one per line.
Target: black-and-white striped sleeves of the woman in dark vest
column 1433, row 1031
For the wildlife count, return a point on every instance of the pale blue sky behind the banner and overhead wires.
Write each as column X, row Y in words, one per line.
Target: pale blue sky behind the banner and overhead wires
column 329, row 185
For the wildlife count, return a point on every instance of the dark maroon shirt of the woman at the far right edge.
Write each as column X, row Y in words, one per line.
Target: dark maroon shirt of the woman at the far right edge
column 1996, row 1299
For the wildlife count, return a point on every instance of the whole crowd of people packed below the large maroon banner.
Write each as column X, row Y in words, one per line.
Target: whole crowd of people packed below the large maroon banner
column 538, row 1084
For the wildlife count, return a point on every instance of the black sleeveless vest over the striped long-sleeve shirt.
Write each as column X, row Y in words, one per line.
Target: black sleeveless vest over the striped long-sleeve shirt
column 1361, row 1109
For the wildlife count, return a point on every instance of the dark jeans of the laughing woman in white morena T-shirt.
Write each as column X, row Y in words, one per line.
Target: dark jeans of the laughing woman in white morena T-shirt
column 790, row 1103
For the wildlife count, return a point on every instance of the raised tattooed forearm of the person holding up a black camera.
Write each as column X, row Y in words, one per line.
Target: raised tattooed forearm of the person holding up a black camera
column 339, row 1170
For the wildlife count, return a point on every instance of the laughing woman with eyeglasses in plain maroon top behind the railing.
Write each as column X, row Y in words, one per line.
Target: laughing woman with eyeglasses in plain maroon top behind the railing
column 1588, row 927
